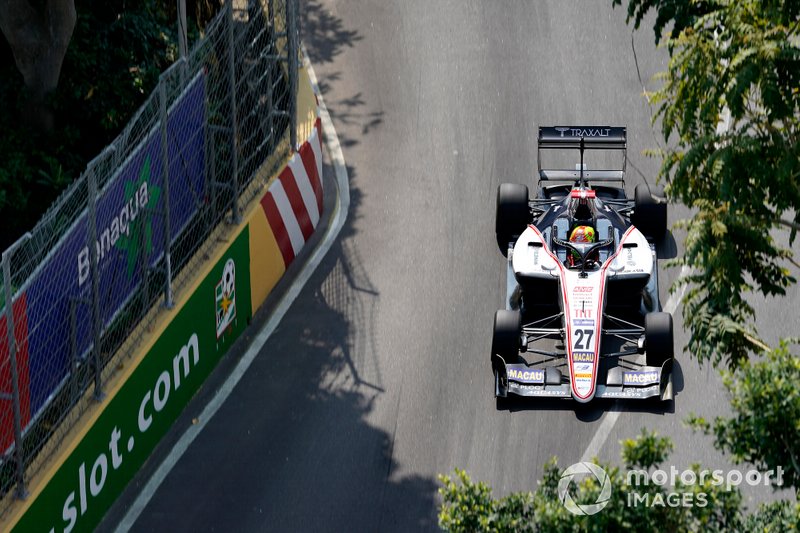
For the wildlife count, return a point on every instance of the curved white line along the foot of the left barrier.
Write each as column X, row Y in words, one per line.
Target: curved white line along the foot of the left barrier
column 339, row 215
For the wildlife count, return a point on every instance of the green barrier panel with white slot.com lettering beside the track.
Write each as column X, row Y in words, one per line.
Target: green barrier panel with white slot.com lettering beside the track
column 135, row 420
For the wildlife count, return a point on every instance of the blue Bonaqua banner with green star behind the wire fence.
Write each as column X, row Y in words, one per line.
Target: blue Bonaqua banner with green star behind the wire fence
column 129, row 242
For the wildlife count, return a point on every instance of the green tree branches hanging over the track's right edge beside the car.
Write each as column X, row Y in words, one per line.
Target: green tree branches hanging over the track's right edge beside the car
column 735, row 62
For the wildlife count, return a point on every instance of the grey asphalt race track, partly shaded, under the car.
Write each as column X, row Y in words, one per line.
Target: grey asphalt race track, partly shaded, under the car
column 378, row 378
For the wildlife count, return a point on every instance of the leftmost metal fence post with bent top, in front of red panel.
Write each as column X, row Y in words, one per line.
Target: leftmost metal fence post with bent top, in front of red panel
column 22, row 492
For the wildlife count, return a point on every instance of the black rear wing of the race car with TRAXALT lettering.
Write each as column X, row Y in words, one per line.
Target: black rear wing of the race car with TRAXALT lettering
column 582, row 138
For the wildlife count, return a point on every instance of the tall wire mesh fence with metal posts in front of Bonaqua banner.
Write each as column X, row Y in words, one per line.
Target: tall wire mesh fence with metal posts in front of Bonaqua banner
column 79, row 290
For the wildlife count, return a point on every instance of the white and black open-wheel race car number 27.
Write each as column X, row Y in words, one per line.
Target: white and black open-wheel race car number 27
column 582, row 320
